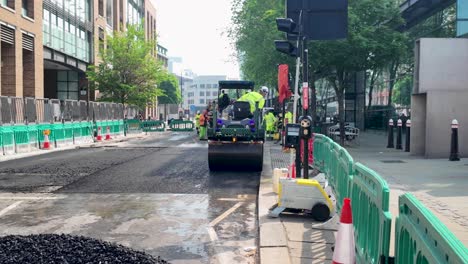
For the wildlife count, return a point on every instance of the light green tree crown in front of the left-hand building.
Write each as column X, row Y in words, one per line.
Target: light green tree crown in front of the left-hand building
column 128, row 73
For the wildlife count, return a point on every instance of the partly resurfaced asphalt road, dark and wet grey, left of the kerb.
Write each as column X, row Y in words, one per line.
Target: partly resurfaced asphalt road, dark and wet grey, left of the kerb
column 154, row 194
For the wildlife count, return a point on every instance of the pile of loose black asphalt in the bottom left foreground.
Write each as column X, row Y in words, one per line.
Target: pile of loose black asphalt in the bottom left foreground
column 51, row 248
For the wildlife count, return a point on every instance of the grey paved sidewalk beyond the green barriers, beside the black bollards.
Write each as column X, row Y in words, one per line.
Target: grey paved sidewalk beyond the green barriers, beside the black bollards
column 440, row 184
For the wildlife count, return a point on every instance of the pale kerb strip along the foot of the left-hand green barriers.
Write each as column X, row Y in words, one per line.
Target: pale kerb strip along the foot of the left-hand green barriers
column 84, row 145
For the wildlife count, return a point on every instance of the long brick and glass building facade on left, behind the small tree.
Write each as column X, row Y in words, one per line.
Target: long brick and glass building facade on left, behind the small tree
column 47, row 46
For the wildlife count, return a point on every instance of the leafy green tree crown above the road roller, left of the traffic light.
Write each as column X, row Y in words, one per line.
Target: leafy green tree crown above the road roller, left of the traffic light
column 253, row 34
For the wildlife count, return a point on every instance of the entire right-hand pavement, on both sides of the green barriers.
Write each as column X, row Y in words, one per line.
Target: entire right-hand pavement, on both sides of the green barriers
column 438, row 183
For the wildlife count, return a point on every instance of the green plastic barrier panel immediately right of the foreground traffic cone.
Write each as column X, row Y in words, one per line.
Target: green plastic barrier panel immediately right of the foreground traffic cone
column 371, row 217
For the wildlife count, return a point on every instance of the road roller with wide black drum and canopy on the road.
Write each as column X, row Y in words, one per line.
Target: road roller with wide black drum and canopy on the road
column 235, row 134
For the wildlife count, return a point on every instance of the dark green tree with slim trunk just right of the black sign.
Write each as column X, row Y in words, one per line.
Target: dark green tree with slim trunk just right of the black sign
column 372, row 42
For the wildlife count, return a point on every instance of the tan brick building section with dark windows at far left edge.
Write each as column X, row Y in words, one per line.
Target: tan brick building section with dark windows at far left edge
column 21, row 67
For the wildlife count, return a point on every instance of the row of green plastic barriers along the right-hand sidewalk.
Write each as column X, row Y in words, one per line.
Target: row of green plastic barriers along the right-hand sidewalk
column 420, row 236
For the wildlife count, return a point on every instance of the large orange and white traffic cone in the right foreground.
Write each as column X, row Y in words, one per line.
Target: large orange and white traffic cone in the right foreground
column 344, row 252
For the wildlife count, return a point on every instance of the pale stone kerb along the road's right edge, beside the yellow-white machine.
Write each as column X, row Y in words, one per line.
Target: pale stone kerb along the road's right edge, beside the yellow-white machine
column 273, row 244
